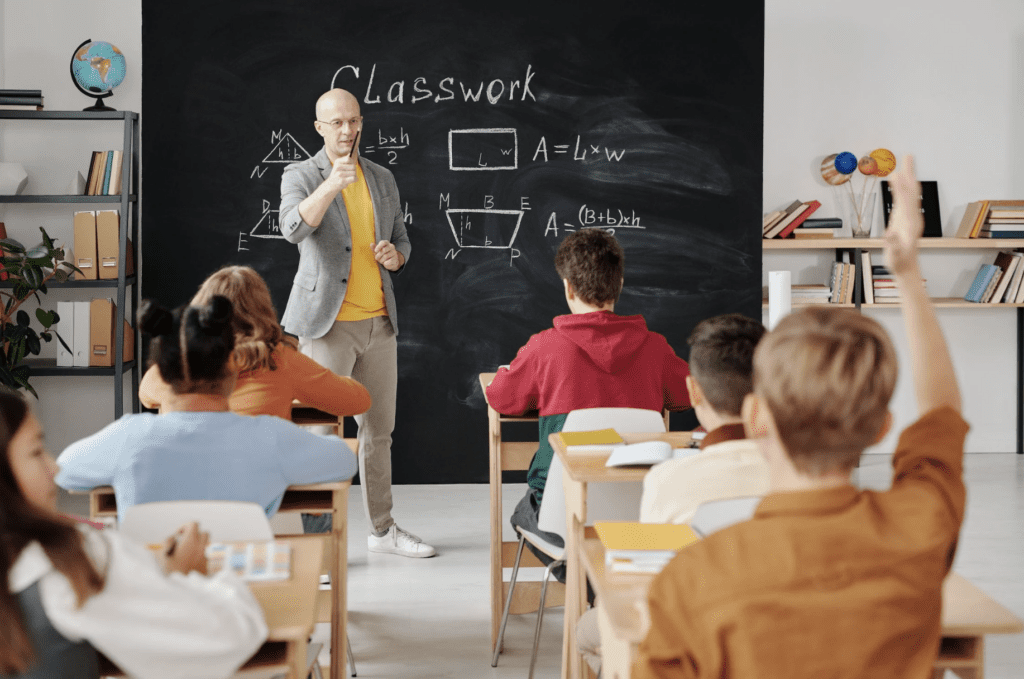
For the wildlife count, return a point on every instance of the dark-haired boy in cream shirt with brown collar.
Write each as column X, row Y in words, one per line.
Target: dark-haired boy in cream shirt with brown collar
column 730, row 465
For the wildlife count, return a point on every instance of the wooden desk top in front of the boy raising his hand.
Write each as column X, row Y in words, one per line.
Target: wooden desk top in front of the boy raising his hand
column 966, row 610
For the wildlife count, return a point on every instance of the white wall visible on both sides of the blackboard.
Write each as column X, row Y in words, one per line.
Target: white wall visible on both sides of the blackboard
column 942, row 80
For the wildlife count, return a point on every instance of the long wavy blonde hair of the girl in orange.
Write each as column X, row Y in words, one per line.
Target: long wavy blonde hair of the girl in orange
column 258, row 332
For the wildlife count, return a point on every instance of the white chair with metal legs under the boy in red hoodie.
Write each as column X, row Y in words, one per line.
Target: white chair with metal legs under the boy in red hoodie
column 621, row 502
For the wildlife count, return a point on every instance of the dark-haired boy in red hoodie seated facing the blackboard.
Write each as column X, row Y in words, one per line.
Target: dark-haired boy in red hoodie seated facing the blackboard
column 591, row 359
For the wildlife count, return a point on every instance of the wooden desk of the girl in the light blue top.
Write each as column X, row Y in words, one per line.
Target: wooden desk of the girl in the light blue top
column 329, row 498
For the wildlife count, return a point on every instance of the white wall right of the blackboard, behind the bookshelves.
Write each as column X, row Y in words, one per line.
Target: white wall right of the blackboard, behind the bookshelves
column 940, row 80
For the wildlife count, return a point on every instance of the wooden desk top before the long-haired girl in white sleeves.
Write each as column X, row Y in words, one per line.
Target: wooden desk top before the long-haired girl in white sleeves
column 290, row 606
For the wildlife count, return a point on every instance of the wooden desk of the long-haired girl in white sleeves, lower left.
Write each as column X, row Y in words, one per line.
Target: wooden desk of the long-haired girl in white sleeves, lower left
column 290, row 610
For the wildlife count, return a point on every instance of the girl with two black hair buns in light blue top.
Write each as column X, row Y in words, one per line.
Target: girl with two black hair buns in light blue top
column 198, row 450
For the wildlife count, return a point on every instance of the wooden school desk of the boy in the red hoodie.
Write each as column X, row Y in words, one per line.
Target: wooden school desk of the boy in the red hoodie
column 510, row 456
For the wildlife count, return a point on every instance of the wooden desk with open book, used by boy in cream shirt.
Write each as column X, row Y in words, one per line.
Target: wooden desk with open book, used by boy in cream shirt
column 580, row 471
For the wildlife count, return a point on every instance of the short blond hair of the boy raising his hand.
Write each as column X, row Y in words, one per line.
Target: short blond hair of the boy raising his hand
column 827, row 376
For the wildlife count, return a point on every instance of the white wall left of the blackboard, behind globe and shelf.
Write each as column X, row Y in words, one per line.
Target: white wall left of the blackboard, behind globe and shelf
column 37, row 40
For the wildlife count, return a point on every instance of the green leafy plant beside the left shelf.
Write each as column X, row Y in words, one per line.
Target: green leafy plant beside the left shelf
column 28, row 272
